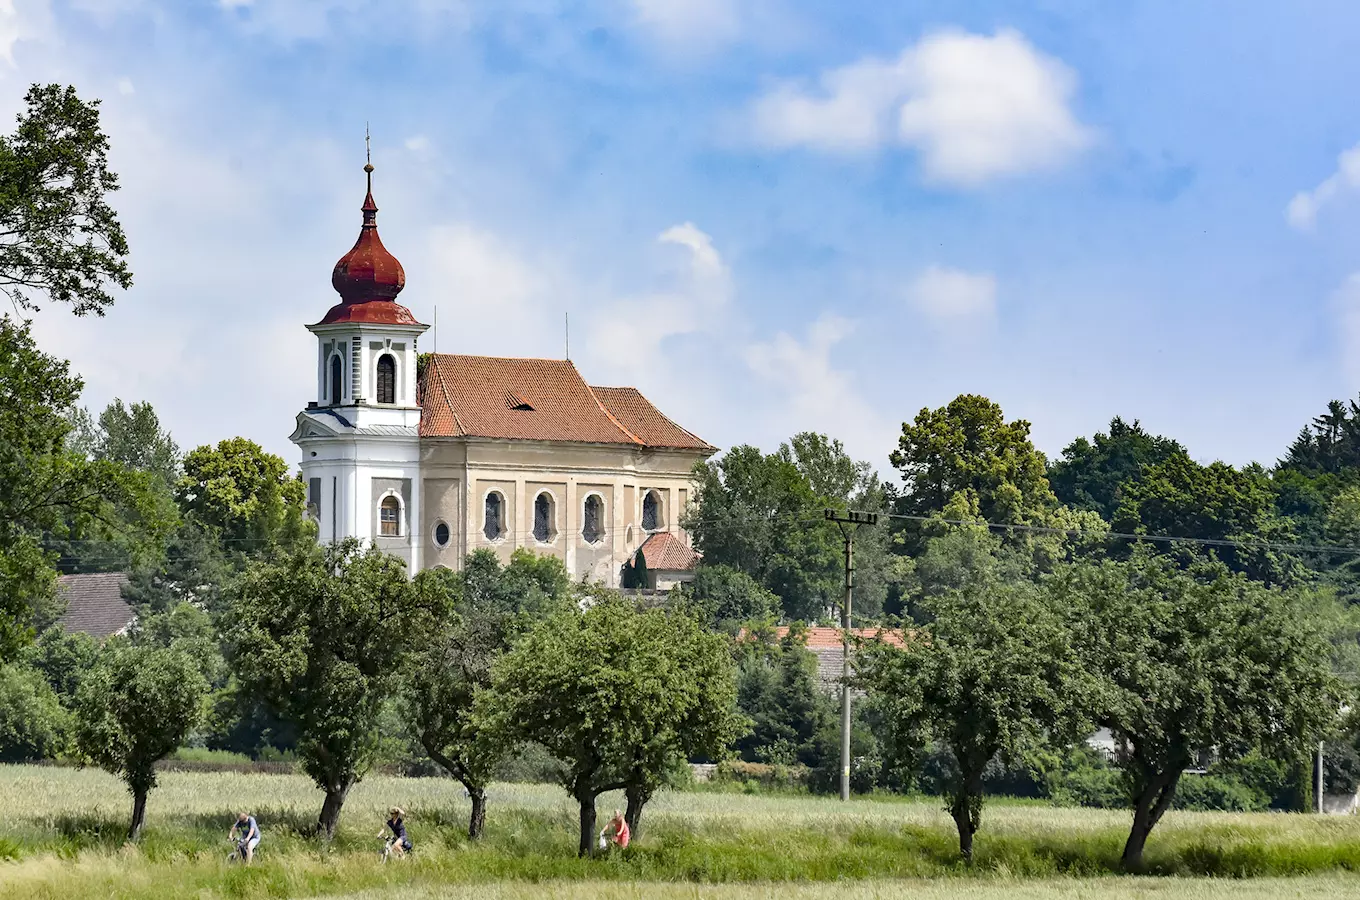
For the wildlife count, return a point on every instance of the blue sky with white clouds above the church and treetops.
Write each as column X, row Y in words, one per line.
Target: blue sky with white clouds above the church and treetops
column 768, row 215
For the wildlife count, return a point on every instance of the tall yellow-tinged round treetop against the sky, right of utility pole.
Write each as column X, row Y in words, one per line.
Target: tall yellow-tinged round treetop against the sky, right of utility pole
column 969, row 447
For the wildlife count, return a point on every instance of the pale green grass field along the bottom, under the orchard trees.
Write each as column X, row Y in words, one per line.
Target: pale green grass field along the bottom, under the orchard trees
column 62, row 837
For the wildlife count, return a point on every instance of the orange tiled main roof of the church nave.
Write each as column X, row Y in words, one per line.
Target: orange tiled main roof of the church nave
column 538, row 400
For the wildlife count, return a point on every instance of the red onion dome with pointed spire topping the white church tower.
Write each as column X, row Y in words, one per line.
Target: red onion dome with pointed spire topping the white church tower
column 369, row 279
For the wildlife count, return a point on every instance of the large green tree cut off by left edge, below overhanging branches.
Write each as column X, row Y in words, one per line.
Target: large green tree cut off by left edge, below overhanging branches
column 48, row 491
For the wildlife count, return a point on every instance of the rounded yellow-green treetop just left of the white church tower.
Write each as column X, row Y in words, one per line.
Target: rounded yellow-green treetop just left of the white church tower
column 243, row 493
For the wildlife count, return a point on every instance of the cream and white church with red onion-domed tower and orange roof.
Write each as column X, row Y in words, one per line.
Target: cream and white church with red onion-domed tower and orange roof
column 435, row 456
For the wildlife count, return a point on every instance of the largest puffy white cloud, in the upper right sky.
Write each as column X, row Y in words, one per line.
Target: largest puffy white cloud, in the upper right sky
column 973, row 107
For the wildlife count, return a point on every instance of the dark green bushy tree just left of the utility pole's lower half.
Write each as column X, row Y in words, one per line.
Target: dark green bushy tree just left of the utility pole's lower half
column 779, row 691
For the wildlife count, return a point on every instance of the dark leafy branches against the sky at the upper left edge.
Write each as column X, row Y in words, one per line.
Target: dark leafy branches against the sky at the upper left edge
column 59, row 237
